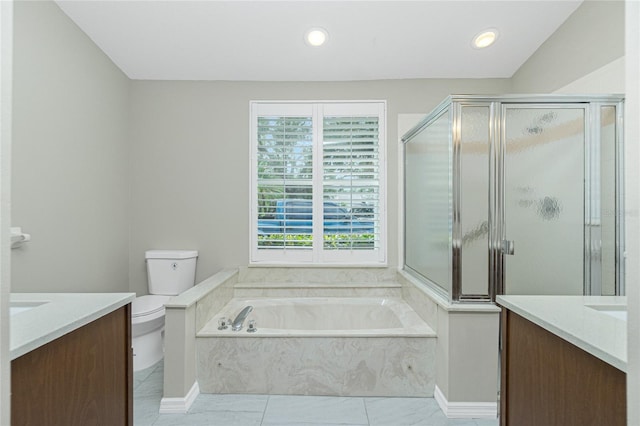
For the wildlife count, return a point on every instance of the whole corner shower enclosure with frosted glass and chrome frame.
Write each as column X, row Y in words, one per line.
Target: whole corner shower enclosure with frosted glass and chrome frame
column 516, row 195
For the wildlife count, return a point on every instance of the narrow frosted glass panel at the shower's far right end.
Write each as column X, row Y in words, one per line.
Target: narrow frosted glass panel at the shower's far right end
column 607, row 198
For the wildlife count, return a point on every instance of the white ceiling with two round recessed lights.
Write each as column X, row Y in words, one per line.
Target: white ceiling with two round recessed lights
column 263, row 40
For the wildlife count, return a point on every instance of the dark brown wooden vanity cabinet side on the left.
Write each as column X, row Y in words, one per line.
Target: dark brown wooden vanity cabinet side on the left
column 84, row 377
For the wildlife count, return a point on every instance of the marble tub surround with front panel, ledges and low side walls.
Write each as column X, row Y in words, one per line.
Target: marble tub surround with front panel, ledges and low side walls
column 462, row 366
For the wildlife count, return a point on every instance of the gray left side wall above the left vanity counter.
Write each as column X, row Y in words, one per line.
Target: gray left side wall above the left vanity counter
column 70, row 157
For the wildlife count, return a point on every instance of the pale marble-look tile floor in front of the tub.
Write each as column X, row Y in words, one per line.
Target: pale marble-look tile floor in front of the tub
column 278, row 410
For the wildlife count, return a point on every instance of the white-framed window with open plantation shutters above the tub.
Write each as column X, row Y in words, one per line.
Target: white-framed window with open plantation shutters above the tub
column 318, row 160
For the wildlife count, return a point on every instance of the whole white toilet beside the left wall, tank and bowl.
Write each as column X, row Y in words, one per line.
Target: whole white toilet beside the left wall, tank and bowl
column 170, row 272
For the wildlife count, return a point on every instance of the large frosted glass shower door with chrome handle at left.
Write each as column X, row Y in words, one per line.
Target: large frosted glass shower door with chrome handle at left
column 544, row 199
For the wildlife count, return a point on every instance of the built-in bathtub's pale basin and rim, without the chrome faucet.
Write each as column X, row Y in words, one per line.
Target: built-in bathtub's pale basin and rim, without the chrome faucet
column 328, row 316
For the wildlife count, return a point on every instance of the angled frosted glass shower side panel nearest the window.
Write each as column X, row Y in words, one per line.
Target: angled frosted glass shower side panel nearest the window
column 428, row 211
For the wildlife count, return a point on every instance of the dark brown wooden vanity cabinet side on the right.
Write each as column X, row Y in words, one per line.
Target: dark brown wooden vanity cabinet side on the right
column 545, row 380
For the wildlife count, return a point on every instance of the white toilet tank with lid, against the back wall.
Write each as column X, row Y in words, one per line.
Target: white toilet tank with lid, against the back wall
column 171, row 272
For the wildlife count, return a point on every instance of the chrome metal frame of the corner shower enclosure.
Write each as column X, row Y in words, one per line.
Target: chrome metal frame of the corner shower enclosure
column 497, row 238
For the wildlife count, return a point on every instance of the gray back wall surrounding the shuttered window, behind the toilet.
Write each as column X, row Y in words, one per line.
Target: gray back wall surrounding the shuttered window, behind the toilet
column 190, row 159
